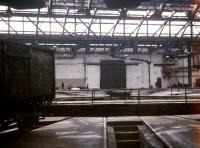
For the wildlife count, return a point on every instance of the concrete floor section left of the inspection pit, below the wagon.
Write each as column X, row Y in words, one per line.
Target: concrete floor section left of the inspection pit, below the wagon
column 70, row 133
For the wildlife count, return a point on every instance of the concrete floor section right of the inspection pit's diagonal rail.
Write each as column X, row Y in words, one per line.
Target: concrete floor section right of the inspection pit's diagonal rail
column 176, row 131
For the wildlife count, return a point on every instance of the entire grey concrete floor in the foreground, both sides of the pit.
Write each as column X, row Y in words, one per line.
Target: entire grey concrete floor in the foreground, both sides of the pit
column 175, row 131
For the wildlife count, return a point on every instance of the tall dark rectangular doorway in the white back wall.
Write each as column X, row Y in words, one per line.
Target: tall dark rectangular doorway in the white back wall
column 113, row 74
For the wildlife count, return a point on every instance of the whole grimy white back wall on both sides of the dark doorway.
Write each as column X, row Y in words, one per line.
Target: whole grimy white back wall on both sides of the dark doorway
column 84, row 71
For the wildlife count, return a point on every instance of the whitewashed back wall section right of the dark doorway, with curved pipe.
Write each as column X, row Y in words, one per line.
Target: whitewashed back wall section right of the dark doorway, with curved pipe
column 138, row 76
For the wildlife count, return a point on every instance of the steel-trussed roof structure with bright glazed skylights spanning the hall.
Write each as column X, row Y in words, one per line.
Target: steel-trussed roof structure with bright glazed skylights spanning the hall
column 89, row 13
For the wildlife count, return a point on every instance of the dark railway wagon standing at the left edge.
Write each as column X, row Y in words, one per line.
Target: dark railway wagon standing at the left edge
column 27, row 81
